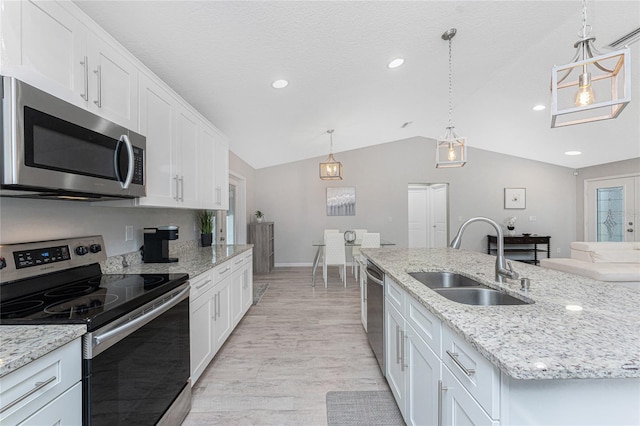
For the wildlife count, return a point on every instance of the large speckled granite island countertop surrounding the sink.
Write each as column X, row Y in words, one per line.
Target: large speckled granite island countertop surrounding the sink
column 543, row 340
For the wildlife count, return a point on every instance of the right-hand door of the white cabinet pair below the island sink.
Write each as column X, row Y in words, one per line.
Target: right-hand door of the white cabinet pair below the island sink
column 423, row 373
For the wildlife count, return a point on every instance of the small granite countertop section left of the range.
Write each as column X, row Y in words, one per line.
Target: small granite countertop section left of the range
column 21, row 344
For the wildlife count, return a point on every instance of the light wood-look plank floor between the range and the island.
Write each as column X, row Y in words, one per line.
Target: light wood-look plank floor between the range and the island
column 296, row 345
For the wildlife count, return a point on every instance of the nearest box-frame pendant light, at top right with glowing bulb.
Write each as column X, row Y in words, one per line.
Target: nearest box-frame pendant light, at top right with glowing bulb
column 590, row 88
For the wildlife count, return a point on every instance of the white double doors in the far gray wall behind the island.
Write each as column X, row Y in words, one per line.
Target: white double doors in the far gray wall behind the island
column 428, row 215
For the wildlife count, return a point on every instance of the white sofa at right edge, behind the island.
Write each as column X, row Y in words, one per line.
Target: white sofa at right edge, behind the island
column 606, row 261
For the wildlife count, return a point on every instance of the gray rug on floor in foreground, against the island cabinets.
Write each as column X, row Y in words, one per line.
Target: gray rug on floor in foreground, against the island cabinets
column 362, row 408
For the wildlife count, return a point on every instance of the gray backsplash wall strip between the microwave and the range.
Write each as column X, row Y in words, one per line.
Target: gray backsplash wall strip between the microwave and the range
column 38, row 220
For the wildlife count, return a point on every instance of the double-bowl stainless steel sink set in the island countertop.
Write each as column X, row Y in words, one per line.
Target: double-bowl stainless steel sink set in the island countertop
column 461, row 289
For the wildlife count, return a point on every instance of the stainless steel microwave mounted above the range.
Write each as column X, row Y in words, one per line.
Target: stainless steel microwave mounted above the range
column 53, row 149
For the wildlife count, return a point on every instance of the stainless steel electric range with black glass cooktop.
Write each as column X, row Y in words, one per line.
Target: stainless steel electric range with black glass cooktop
column 136, row 352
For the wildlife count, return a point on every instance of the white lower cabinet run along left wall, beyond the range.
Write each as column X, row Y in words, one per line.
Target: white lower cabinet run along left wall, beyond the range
column 215, row 299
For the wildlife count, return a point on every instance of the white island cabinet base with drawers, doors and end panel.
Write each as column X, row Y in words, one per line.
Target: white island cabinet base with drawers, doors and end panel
column 438, row 378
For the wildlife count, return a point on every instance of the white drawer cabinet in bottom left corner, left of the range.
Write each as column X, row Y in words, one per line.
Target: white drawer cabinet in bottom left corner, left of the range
column 45, row 391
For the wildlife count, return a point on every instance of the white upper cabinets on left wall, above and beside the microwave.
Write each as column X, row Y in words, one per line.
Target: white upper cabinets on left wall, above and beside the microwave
column 55, row 47
